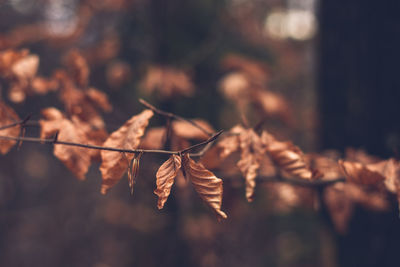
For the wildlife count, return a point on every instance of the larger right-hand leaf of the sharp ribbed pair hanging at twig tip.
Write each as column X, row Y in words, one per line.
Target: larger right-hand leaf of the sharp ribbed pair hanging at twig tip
column 206, row 184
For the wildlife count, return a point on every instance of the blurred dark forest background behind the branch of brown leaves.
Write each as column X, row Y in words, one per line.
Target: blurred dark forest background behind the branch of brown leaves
column 327, row 71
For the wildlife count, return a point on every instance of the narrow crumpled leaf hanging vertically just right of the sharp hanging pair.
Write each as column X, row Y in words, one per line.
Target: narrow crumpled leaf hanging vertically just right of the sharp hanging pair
column 251, row 155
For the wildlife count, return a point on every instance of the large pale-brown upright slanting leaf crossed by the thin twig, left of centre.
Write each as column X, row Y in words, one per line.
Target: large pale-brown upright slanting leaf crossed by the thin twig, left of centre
column 114, row 164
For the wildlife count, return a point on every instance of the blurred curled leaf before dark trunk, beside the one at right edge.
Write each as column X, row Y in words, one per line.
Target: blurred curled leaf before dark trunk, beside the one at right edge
column 359, row 173
